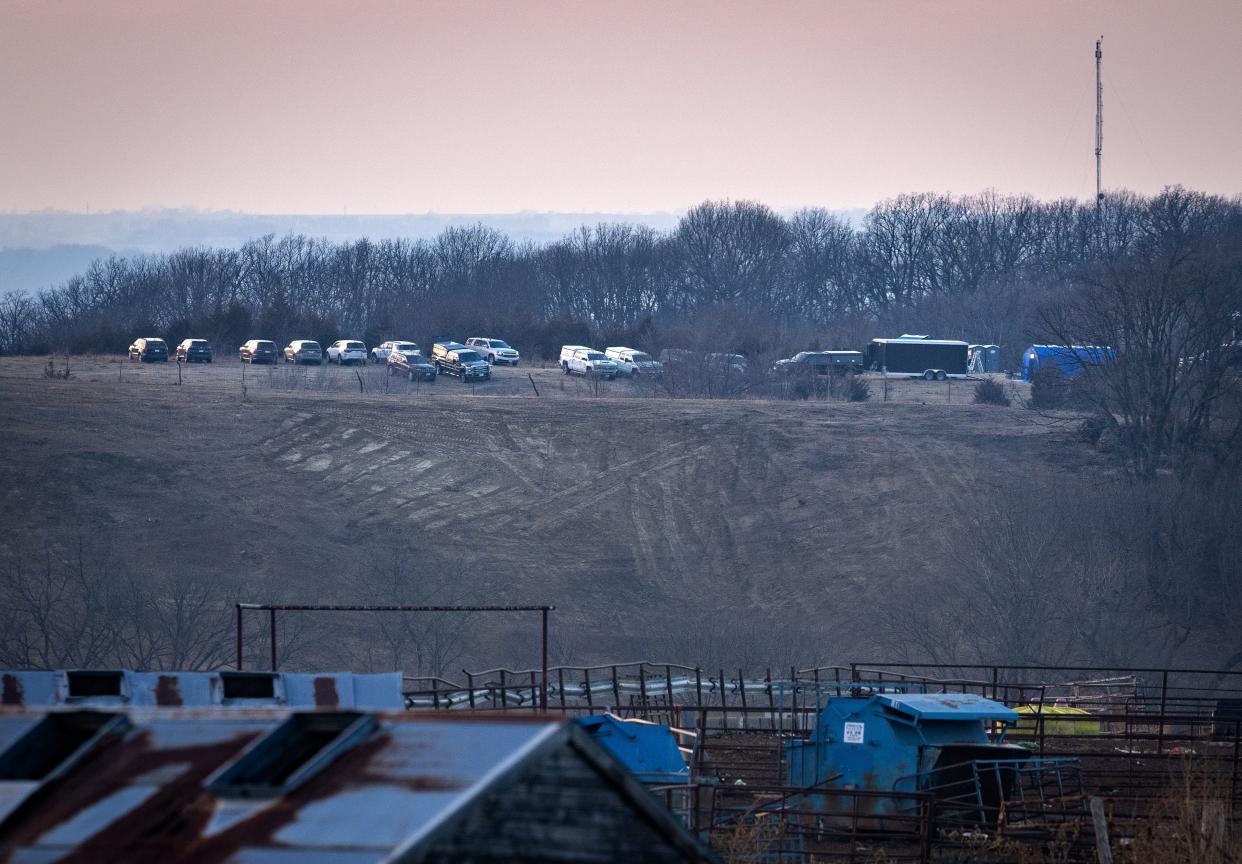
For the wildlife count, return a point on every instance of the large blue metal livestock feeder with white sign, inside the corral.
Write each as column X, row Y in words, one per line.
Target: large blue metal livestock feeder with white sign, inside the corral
column 938, row 743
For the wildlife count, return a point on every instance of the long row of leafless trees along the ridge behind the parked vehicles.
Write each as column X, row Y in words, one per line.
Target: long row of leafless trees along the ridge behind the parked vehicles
column 976, row 268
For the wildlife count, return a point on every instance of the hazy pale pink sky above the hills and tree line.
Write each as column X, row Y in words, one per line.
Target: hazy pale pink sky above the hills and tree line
column 637, row 106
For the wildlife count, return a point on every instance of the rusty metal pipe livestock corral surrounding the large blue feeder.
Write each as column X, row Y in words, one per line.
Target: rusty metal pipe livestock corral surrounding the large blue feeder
column 1127, row 737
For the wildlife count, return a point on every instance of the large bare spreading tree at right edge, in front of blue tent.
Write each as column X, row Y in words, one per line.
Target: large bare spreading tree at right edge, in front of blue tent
column 1167, row 305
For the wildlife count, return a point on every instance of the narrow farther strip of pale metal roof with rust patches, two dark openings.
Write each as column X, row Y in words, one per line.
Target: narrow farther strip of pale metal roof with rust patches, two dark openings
column 107, row 688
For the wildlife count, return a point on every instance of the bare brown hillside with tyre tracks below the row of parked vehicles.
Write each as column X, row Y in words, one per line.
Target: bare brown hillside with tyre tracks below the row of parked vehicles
column 671, row 528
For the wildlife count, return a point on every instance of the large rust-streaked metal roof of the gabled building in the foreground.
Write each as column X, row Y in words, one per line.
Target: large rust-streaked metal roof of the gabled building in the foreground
column 147, row 796
